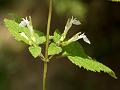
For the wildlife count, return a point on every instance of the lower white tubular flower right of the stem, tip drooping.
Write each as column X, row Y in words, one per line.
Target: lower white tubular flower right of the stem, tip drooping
column 79, row 36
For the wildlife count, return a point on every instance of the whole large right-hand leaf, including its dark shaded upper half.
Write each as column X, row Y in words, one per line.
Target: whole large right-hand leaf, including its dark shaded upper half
column 77, row 56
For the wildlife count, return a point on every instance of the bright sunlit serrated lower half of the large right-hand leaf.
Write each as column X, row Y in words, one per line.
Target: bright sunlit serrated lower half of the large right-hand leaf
column 91, row 65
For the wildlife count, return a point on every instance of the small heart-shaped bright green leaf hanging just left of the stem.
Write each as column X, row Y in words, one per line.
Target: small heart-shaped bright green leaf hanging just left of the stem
column 35, row 51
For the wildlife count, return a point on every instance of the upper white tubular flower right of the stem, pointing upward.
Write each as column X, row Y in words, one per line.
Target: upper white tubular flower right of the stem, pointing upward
column 69, row 24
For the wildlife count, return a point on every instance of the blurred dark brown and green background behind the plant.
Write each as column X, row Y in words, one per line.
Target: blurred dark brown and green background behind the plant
column 100, row 21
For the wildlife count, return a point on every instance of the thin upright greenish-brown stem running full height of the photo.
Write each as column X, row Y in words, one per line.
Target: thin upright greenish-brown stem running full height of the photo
column 47, row 45
